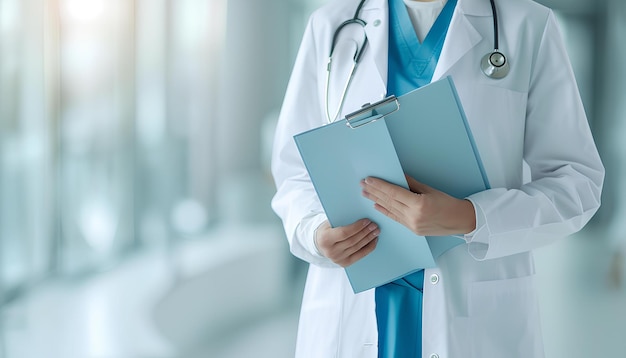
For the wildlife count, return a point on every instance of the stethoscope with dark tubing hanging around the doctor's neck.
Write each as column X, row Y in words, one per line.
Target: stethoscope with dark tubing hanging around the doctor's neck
column 493, row 65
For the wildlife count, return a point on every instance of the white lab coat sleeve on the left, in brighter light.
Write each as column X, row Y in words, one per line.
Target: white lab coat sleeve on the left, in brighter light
column 296, row 201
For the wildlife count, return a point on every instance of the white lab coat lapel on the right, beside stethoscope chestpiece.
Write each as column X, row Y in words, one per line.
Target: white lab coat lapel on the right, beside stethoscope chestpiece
column 462, row 35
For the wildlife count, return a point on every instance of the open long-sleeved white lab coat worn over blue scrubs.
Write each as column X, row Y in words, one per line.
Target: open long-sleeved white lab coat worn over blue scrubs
column 480, row 300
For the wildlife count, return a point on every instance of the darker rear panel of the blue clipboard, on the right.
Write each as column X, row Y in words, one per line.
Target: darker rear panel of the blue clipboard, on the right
column 435, row 146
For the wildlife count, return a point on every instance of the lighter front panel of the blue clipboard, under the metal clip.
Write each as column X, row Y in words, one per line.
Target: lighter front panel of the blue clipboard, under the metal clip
column 337, row 157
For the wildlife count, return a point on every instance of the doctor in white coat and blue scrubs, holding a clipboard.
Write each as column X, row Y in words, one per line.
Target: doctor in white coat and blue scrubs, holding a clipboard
column 480, row 299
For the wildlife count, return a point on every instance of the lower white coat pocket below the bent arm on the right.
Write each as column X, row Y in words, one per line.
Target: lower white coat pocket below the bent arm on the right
column 504, row 319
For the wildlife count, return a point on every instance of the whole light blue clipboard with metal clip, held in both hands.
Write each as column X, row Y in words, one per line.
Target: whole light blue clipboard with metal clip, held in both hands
column 423, row 133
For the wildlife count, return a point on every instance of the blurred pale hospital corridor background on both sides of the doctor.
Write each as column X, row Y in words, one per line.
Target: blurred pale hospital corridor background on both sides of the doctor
column 135, row 188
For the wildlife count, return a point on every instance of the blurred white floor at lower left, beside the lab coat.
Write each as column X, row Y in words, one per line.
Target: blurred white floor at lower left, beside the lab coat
column 119, row 313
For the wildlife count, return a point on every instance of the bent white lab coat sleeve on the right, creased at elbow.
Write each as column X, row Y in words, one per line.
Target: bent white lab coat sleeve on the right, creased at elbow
column 566, row 171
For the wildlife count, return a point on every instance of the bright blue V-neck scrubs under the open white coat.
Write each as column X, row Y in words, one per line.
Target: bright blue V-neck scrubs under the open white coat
column 411, row 65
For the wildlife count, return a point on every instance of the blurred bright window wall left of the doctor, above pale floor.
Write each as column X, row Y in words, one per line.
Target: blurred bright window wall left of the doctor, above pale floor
column 105, row 130
